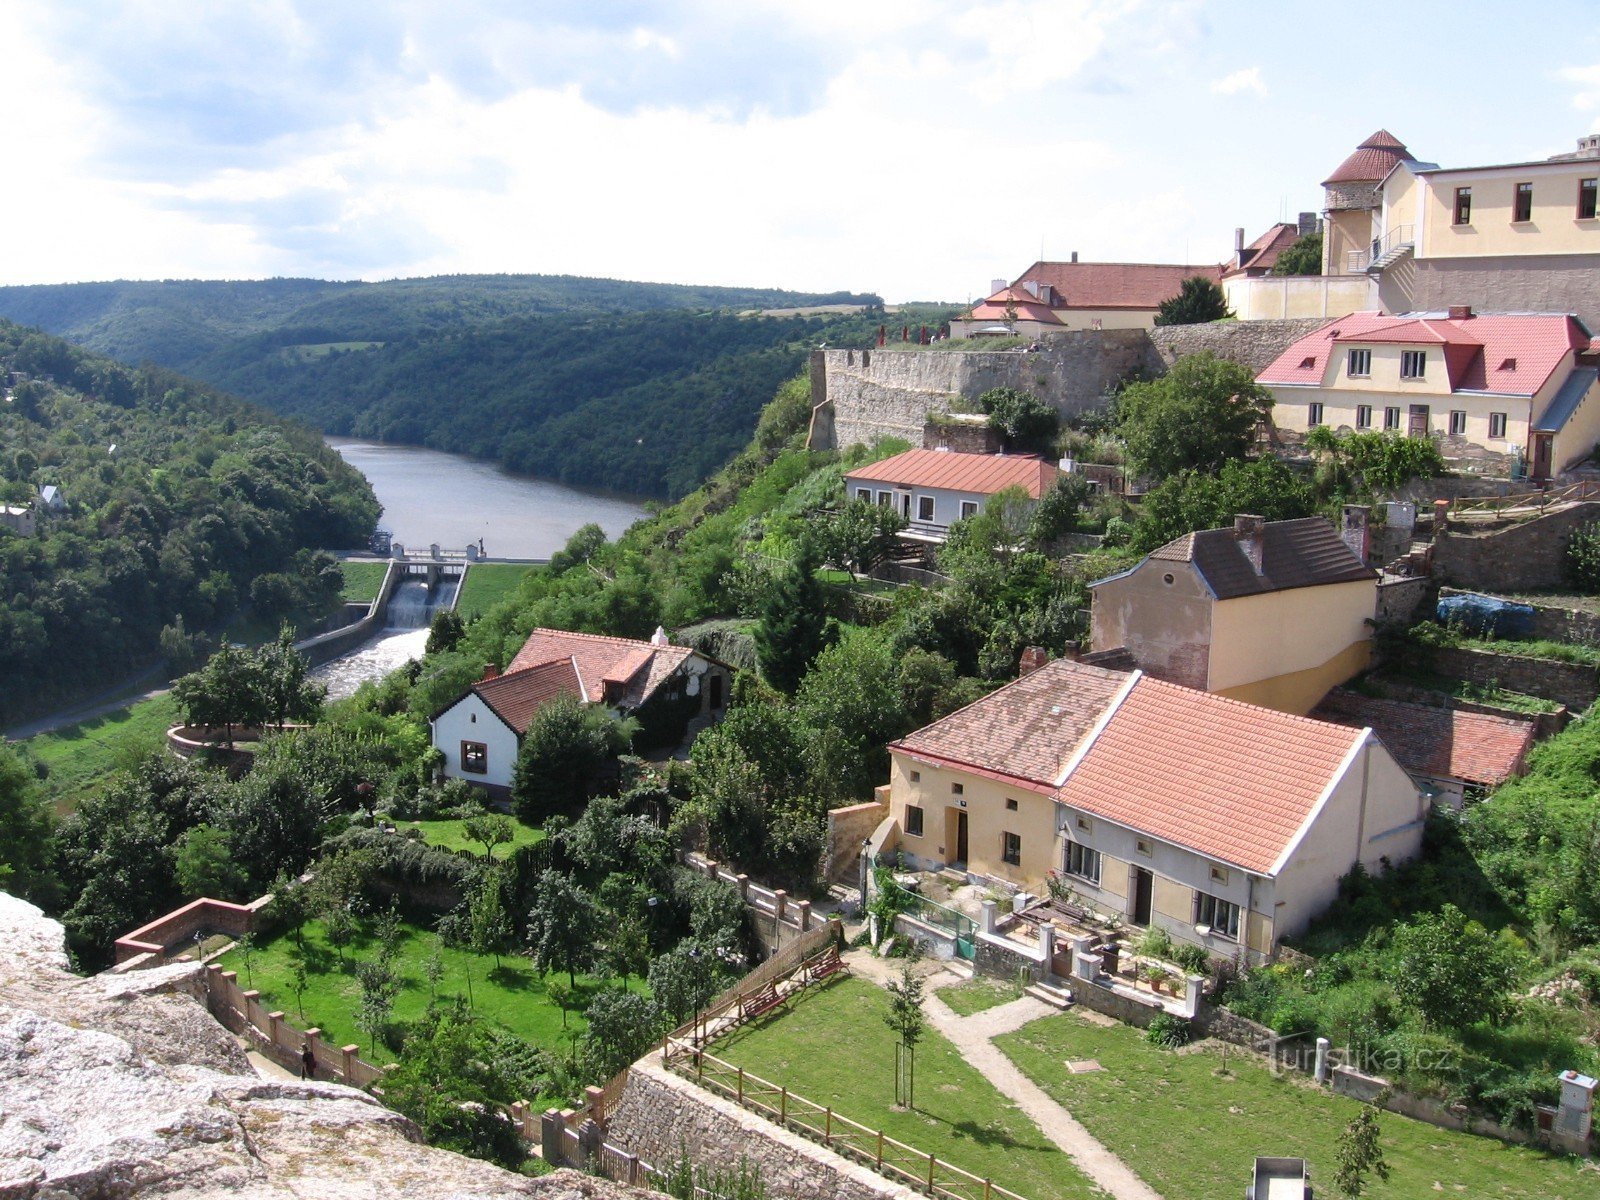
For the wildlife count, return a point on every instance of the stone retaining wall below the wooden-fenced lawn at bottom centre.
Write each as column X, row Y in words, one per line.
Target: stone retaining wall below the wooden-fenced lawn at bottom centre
column 662, row 1114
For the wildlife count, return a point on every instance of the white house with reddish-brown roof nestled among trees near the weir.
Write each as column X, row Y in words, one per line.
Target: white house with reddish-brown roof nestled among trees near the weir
column 666, row 687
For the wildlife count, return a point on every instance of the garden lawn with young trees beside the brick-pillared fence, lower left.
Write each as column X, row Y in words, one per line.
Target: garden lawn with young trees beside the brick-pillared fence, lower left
column 513, row 996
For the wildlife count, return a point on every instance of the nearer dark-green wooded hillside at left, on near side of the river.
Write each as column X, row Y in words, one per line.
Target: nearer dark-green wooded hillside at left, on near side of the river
column 178, row 503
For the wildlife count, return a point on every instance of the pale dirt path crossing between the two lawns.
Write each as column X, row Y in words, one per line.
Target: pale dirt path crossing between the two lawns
column 974, row 1038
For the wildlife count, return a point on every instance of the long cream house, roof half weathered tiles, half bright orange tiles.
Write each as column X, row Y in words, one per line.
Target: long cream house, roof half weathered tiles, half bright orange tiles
column 1223, row 823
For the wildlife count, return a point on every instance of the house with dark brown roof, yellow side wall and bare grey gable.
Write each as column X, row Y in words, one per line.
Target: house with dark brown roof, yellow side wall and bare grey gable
column 1273, row 614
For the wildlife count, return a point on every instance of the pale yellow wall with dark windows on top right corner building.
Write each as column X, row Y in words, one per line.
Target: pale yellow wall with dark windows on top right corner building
column 1554, row 228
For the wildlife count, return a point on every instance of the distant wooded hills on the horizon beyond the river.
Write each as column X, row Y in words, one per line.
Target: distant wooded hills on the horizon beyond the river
column 644, row 388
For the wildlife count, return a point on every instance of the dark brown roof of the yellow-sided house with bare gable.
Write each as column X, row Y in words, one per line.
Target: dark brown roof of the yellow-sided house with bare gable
column 1305, row 553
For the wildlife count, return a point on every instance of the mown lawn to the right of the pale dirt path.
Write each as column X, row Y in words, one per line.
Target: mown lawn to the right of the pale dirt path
column 1194, row 1134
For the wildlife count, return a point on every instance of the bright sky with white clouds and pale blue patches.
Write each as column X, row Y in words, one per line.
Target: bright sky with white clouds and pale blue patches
column 910, row 148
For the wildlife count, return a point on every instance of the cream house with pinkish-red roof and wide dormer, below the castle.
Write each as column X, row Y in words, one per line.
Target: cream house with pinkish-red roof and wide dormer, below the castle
column 1508, row 391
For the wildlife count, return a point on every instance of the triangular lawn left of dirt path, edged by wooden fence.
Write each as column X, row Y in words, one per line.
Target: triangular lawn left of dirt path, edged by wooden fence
column 834, row 1049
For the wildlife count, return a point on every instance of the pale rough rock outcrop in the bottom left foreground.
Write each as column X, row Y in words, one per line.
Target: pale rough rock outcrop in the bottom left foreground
column 119, row 1087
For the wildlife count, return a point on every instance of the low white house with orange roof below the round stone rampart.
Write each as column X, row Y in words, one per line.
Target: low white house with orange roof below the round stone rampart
column 935, row 489
